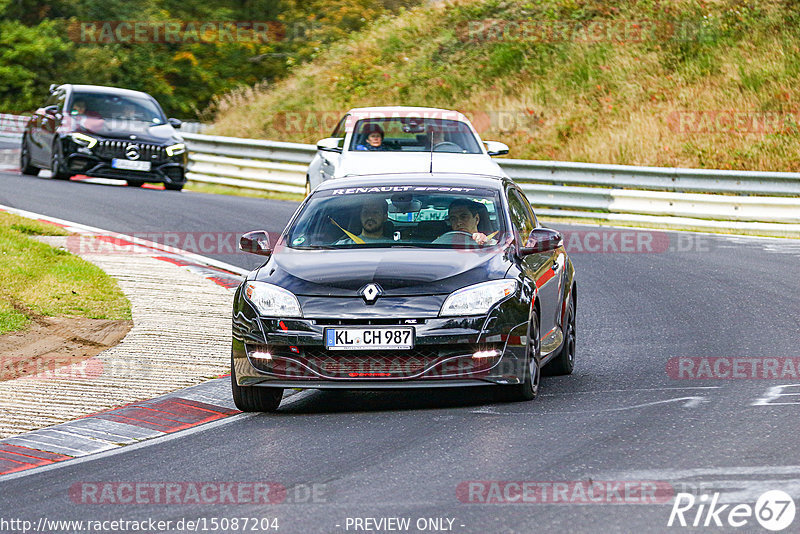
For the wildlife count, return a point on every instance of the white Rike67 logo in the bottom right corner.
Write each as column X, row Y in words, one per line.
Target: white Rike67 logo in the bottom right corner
column 774, row 510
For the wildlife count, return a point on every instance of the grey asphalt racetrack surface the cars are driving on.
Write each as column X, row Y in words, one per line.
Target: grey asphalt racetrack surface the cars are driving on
column 622, row 416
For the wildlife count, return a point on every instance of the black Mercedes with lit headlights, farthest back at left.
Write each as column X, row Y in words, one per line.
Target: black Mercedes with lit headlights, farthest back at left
column 104, row 132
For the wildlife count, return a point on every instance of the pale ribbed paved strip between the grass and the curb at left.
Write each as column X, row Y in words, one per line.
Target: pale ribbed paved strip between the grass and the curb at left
column 180, row 337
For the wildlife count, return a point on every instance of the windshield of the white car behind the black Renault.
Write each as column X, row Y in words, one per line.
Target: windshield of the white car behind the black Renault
column 414, row 134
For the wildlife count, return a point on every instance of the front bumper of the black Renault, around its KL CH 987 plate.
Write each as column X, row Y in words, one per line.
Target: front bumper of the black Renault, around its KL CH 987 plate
column 443, row 354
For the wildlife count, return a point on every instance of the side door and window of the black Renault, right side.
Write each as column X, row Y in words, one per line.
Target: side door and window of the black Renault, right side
column 541, row 267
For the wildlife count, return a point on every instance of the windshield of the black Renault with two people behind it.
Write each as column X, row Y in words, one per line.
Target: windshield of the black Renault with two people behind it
column 421, row 216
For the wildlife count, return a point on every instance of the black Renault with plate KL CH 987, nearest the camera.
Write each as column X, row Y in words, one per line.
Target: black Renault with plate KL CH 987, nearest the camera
column 405, row 281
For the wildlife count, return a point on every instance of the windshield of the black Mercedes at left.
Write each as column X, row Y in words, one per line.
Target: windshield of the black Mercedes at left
column 115, row 107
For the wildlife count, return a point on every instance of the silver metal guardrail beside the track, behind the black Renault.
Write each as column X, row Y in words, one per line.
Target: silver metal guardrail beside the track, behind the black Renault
column 765, row 203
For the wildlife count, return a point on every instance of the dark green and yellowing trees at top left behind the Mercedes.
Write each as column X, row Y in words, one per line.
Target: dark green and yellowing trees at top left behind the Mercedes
column 41, row 43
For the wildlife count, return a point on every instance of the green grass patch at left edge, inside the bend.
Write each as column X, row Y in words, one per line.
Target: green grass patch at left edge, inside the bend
column 36, row 278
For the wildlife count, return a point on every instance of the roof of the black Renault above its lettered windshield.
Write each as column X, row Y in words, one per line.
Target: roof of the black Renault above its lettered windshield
column 440, row 179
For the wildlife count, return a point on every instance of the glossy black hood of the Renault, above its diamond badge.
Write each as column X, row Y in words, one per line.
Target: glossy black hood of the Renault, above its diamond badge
column 399, row 271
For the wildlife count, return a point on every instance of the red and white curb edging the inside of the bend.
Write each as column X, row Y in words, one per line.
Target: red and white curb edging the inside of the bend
column 208, row 403
